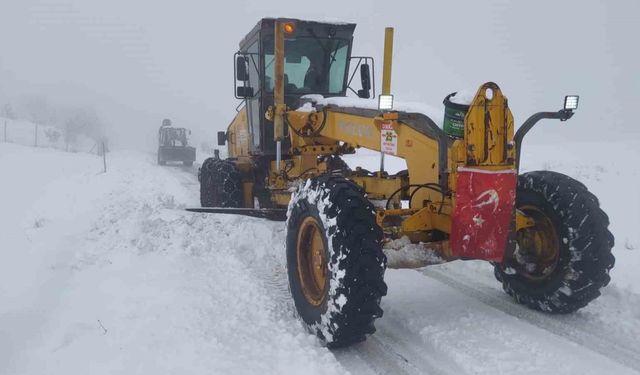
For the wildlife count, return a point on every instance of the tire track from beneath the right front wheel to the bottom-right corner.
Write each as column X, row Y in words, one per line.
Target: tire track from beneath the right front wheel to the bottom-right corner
column 580, row 334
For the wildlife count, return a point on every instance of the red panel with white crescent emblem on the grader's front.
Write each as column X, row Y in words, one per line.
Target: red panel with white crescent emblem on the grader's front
column 483, row 213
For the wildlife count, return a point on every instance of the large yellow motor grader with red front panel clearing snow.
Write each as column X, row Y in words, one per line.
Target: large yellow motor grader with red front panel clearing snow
column 461, row 197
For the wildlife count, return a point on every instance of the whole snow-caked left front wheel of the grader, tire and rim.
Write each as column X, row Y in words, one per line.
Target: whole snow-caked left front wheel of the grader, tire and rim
column 335, row 261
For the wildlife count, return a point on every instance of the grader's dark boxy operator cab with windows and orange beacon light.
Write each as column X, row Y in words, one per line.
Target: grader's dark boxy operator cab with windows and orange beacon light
column 317, row 61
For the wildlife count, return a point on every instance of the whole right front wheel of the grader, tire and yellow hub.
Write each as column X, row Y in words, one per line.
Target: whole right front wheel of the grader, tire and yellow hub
column 560, row 263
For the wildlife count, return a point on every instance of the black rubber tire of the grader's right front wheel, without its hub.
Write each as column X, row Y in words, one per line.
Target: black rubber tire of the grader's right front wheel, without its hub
column 585, row 243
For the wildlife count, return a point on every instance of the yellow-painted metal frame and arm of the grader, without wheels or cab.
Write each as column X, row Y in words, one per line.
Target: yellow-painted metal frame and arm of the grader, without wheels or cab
column 431, row 157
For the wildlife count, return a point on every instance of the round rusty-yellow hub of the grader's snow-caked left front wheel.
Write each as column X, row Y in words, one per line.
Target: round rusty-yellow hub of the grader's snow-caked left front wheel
column 312, row 261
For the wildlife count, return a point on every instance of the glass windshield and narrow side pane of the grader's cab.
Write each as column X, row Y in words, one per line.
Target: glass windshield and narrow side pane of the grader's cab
column 312, row 65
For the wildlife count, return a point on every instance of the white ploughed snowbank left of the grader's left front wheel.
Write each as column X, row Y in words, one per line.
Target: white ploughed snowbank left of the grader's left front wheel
column 106, row 273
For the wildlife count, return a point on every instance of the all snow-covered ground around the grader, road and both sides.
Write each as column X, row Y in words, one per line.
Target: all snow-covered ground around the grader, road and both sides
column 106, row 273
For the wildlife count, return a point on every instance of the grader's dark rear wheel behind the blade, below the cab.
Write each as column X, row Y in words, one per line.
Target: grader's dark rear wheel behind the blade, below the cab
column 220, row 184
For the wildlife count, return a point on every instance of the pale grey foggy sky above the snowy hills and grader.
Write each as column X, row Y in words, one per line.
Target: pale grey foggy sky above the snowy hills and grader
column 137, row 62
